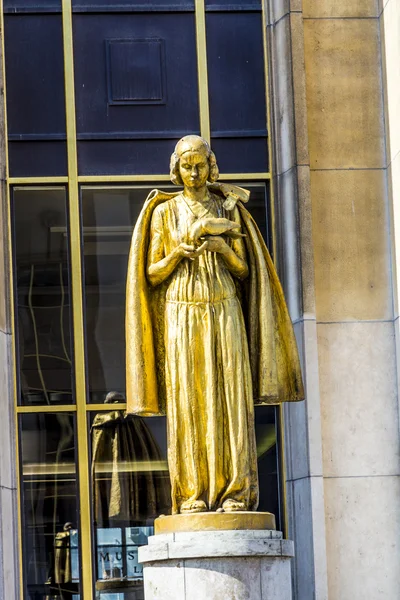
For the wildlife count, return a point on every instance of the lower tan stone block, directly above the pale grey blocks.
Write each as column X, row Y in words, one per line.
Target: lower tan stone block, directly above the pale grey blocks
column 351, row 246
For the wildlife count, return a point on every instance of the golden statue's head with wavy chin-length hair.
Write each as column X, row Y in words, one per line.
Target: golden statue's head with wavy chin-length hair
column 193, row 163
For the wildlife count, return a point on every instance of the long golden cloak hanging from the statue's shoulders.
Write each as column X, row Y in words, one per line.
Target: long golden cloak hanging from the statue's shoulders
column 274, row 359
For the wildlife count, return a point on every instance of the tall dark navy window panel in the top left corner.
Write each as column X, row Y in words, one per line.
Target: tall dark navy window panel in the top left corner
column 34, row 74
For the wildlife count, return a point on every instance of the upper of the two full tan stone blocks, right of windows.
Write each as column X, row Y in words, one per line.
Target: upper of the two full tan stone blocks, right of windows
column 344, row 93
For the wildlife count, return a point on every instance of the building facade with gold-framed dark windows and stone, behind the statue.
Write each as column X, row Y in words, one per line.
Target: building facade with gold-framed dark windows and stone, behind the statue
column 301, row 102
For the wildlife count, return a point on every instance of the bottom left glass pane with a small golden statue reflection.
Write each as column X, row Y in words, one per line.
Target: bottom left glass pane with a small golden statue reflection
column 49, row 491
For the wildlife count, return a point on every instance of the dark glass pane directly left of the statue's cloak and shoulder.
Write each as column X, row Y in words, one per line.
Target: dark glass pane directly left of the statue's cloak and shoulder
column 112, row 214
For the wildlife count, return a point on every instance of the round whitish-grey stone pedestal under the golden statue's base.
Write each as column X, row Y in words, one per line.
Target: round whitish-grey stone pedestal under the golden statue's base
column 217, row 565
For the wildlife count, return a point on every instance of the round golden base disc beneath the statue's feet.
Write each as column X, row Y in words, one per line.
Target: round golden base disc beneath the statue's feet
column 212, row 521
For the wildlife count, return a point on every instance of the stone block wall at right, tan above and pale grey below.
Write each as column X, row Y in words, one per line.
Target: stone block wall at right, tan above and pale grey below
column 353, row 298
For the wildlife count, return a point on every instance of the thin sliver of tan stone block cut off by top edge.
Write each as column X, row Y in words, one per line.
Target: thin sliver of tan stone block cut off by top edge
column 340, row 8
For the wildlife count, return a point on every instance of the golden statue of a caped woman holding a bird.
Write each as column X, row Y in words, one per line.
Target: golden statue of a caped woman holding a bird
column 208, row 333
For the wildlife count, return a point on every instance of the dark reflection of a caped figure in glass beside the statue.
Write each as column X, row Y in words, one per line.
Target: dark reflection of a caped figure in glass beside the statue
column 128, row 469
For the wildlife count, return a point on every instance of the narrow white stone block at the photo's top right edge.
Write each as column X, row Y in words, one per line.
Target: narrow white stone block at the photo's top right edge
column 391, row 39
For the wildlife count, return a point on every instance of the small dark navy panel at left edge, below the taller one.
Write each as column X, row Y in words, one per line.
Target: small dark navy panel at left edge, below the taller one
column 37, row 159
